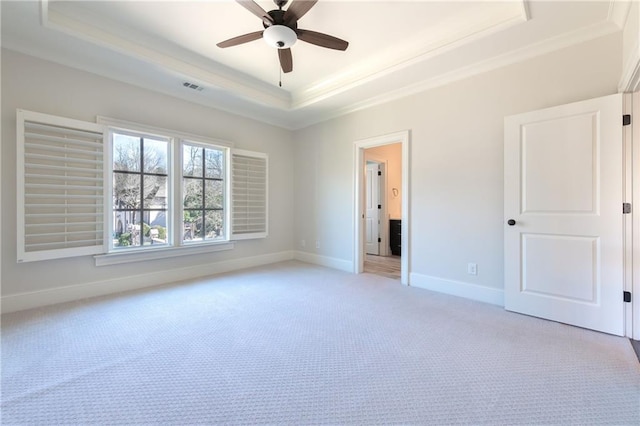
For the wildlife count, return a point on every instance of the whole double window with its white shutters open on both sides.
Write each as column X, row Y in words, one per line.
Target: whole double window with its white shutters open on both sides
column 137, row 194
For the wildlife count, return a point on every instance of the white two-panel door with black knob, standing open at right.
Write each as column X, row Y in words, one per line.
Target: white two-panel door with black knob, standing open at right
column 563, row 236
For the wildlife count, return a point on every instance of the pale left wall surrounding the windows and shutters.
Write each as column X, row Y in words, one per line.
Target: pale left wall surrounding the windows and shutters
column 42, row 86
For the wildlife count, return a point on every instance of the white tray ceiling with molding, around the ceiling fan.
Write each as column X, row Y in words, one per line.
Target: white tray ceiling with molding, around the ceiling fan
column 395, row 47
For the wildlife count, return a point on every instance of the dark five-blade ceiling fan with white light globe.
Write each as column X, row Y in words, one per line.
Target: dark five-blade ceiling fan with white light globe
column 281, row 30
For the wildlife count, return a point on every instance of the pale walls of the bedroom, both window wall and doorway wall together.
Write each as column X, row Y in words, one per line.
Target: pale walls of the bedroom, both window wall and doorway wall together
column 456, row 168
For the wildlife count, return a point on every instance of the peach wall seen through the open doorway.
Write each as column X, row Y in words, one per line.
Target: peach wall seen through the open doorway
column 392, row 155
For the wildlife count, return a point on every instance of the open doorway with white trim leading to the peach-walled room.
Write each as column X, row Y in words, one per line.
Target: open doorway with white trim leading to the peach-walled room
column 370, row 150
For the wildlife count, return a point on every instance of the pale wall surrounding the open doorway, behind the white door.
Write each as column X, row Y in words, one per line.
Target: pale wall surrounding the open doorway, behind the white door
column 456, row 163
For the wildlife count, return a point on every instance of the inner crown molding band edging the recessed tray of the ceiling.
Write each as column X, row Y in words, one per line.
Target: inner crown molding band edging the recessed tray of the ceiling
column 410, row 54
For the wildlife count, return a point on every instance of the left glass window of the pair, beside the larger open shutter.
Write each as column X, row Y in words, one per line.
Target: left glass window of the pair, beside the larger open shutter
column 140, row 190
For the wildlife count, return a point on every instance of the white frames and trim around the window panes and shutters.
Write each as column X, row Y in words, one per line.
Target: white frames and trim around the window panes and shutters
column 105, row 253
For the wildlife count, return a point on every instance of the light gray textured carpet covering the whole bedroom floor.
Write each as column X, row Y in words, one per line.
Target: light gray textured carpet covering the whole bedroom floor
column 293, row 343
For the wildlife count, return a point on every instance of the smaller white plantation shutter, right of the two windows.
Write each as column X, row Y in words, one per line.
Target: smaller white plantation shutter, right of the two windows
column 249, row 174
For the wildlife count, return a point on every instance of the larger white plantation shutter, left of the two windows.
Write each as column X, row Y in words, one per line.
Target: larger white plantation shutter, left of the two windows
column 60, row 178
